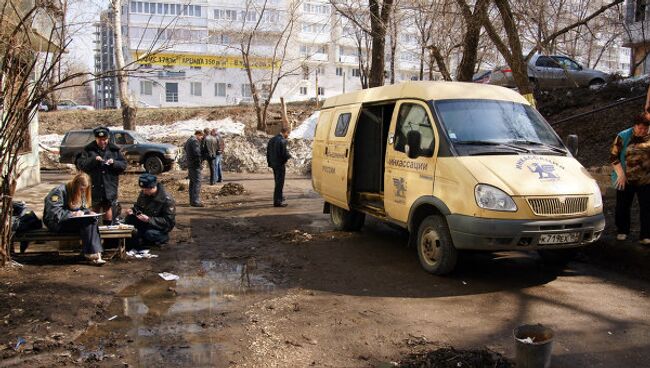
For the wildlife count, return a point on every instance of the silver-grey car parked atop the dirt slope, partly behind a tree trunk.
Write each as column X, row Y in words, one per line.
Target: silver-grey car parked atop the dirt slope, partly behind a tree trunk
column 549, row 72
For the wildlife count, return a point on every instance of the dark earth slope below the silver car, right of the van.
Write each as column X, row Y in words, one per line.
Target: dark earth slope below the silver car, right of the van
column 596, row 131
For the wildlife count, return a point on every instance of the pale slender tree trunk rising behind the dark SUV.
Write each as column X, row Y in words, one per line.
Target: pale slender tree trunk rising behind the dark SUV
column 129, row 110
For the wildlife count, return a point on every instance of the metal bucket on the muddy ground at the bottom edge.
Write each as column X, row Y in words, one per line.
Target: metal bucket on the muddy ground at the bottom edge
column 533, row 345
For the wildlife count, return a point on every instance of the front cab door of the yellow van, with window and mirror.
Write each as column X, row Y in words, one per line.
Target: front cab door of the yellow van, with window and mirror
column 410, row 158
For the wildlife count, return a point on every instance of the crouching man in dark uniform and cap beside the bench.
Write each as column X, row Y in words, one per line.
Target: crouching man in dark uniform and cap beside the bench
column 153, row 215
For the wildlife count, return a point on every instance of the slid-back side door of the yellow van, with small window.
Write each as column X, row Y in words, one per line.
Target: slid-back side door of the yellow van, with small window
column 337, row 165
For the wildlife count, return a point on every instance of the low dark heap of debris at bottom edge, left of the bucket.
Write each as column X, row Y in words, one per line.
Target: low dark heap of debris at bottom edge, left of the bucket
column 452, row 358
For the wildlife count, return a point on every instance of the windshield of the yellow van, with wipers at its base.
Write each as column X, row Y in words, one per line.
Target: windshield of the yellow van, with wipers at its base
column 492, row 126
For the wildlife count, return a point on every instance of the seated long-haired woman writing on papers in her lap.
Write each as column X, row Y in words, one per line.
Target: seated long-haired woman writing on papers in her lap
column 66, row 207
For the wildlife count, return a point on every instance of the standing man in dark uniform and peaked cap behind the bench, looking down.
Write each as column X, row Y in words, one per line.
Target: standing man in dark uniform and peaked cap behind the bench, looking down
column 104, row 162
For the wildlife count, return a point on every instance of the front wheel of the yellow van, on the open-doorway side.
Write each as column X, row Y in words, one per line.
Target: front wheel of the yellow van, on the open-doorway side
column 435, row 248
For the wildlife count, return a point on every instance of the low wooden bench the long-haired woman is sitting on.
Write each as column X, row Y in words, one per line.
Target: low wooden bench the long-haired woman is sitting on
column 105, row 232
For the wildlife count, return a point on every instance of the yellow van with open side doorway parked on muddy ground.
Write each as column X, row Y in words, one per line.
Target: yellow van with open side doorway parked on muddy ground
column 460, row 165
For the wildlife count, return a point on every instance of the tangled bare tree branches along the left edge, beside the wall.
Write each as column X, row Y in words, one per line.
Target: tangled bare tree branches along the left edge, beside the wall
column 31, row 53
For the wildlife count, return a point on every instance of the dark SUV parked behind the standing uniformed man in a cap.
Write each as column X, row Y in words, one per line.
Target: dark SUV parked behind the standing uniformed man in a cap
column 155, row 157
